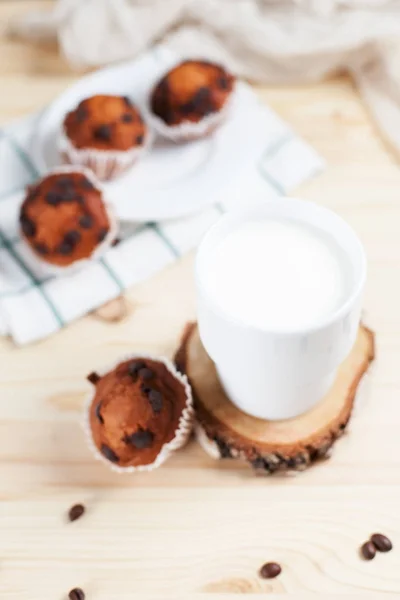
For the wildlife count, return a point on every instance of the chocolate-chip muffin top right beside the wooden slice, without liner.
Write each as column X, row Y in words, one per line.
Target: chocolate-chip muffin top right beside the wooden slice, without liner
column 135, row 411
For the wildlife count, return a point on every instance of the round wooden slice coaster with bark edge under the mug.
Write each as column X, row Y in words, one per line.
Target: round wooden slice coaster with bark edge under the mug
column 227, row 432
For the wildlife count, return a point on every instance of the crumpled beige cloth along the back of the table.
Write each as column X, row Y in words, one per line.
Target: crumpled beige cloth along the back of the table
column 269, row 41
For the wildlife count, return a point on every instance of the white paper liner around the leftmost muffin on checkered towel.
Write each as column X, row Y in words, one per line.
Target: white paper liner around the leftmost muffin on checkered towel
column 51, row 269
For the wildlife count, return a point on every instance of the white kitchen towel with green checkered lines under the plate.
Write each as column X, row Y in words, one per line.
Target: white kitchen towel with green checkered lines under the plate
column 33, row 307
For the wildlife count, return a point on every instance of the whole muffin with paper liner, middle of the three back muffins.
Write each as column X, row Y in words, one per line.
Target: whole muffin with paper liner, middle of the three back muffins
column 104, row 133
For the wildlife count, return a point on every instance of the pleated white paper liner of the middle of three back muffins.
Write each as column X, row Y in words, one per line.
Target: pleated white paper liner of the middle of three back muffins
column 105, row 164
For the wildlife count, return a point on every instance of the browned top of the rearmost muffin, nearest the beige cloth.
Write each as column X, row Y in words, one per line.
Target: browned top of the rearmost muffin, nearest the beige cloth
column 190, row 91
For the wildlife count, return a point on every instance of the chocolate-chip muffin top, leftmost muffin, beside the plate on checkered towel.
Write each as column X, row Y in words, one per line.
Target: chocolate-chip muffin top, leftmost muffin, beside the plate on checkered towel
column 63, row 218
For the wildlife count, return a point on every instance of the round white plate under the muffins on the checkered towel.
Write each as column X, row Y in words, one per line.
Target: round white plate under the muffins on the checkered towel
column 172, row 180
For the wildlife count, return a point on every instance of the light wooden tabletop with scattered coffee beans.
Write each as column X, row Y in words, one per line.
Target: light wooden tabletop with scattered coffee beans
column 195, row 526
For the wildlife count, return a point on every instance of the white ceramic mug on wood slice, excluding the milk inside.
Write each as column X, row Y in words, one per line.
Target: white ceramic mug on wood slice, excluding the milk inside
column 273, row 374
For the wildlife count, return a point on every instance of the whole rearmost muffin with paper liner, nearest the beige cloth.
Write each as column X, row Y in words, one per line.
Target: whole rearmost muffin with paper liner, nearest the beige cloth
column 191, row 100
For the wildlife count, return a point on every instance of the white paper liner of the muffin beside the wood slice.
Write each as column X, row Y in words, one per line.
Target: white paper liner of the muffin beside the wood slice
column 182, row 433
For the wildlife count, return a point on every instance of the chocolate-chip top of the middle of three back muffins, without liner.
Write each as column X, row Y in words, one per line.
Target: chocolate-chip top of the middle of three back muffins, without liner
column 105, row 123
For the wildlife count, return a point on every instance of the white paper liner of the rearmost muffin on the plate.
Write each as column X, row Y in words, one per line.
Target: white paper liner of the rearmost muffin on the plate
column 188, row 130
